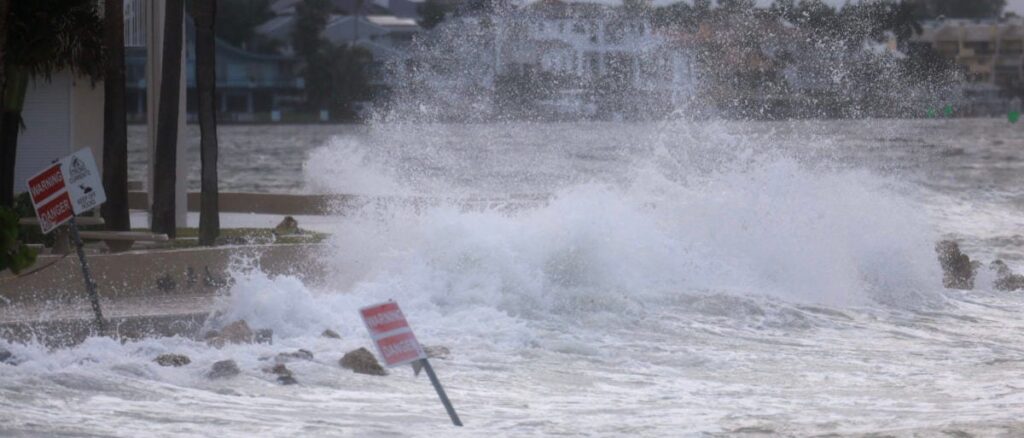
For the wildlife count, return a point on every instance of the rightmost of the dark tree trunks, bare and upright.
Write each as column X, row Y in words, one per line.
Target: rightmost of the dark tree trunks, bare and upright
column 204, row 13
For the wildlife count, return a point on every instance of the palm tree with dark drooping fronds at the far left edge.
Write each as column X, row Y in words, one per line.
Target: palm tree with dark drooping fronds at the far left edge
column 44, row 37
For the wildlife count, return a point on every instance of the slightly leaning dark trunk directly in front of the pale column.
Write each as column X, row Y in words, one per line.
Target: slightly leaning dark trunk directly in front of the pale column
column 165, row 166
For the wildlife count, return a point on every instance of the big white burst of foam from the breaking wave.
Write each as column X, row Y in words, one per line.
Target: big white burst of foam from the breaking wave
column 774, row 229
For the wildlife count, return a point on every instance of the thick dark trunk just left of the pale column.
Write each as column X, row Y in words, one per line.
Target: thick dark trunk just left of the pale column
column 115, row 125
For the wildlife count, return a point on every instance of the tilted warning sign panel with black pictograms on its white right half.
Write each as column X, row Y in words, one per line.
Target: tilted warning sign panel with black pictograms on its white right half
column 71, row 187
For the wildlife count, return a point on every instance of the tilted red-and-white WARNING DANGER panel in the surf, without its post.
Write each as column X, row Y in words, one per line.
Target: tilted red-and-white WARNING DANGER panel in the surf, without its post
column 392, row 334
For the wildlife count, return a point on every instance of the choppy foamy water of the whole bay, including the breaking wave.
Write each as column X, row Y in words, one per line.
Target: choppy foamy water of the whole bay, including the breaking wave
column 685, row 279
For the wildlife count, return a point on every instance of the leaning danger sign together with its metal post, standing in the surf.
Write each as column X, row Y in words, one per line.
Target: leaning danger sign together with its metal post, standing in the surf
column 398, row 345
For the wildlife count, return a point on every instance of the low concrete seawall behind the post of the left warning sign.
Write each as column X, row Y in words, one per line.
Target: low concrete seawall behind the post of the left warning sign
column 151, row 293
